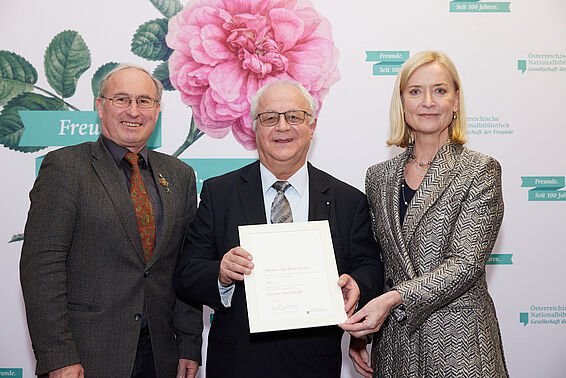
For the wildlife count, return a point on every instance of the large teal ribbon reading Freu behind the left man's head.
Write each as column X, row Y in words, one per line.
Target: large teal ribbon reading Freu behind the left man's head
column 66, row 128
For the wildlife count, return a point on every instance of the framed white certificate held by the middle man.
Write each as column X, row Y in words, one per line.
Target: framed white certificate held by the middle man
column 294, row 280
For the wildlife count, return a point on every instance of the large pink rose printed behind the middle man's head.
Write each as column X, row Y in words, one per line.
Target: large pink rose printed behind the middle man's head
column 225, row 50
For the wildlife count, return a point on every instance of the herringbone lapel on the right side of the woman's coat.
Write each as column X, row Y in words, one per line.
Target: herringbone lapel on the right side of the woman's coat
column 435, row 182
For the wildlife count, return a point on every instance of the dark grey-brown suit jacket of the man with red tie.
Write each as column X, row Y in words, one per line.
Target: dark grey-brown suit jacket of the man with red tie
column 83, row 274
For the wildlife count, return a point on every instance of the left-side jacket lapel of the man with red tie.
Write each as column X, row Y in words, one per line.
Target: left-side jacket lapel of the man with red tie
column 117, row 190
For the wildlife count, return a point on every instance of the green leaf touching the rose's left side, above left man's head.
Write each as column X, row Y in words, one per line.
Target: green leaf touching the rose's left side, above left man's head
column 149, row 40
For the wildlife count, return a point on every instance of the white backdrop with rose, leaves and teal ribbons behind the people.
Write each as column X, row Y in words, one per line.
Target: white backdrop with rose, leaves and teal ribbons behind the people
column 511, row 57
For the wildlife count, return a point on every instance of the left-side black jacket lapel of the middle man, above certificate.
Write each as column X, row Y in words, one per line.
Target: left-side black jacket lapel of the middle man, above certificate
column 251, row 195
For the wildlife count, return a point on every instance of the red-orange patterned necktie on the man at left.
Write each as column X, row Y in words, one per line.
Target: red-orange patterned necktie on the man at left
column 142, row 206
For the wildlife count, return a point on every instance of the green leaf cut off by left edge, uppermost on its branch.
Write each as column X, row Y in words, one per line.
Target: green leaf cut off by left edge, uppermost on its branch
column 17, row 76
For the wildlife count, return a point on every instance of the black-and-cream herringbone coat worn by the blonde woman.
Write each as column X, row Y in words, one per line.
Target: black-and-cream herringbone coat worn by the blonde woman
column 436, row 260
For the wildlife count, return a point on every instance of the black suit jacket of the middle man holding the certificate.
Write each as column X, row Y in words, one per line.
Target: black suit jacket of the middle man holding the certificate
column 236, row 199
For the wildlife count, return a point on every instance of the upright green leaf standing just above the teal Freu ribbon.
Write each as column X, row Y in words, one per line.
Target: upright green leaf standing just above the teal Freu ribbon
column 67, row 57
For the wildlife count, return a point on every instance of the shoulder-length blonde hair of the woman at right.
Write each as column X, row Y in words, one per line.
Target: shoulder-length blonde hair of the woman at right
column 400, row 133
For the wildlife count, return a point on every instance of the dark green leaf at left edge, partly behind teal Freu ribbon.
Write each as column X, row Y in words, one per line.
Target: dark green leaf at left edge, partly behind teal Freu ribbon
column 11, row 126
